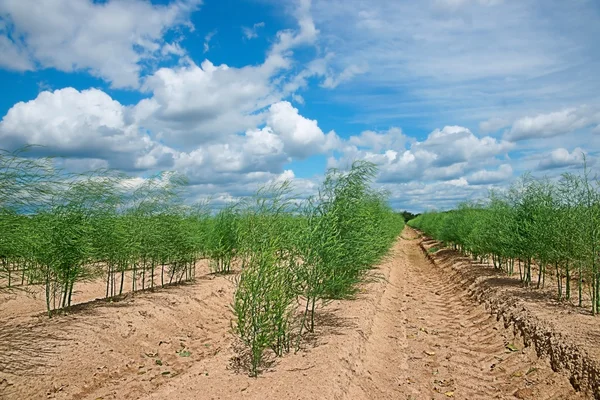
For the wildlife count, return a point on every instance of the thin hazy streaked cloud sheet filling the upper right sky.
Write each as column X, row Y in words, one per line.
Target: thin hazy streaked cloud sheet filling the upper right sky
column 432, row 59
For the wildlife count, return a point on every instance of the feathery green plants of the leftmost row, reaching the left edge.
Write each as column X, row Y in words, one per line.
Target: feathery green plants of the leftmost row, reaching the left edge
column 59, row 229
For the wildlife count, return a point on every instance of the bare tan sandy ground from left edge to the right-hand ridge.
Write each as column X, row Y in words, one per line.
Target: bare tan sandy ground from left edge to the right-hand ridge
column 414, row 334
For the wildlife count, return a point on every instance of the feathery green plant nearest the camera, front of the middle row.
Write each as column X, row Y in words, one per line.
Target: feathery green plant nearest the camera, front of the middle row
column 263, row 302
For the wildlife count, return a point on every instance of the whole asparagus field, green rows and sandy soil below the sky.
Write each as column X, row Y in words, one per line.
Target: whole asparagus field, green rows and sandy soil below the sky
column 277, row 296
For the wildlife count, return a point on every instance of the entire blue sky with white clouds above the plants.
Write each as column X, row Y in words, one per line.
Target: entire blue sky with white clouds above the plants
column 450, row 98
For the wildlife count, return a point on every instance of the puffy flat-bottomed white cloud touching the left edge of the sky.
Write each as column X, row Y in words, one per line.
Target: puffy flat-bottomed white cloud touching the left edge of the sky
column 87, row 124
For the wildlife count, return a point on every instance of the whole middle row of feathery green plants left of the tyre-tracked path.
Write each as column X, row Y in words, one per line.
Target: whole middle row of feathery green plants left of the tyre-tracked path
column 306, row 254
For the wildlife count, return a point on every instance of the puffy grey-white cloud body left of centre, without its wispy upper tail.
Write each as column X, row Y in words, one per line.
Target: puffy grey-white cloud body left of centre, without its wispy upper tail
column 193, row 104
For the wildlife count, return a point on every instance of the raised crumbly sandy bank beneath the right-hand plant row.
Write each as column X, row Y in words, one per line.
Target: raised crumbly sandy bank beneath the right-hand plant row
column 562, row 332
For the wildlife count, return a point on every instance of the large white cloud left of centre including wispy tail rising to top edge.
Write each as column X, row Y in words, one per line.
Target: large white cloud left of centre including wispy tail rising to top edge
column 194, row 104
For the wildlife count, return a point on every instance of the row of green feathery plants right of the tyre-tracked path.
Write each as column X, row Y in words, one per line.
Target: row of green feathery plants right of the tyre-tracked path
column 537, row 223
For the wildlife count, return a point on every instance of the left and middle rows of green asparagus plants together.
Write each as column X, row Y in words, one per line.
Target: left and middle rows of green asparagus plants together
column 59, row 230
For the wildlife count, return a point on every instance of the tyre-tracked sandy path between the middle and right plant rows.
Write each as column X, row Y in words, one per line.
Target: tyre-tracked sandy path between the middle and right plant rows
column 431, row 341
